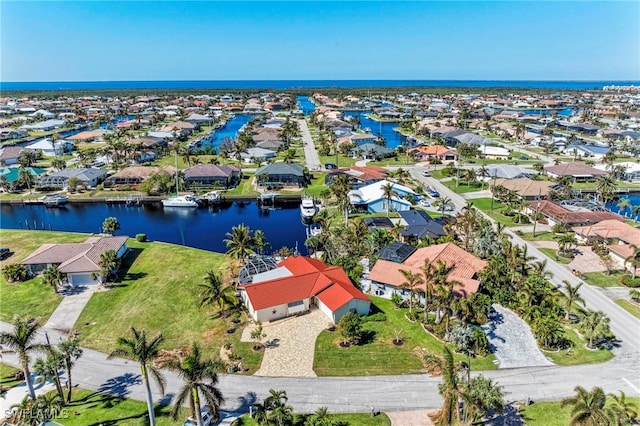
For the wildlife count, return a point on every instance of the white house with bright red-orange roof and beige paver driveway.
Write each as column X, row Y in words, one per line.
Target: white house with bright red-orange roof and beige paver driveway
column 298, row 284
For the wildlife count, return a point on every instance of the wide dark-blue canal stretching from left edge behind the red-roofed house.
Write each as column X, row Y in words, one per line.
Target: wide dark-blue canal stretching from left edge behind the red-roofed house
column 203, row 228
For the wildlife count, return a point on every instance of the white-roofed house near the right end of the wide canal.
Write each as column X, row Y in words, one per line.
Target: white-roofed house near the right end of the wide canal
column 371, row 197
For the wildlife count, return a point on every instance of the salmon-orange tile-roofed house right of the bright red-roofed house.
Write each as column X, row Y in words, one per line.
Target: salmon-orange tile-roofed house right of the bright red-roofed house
column 386, row 278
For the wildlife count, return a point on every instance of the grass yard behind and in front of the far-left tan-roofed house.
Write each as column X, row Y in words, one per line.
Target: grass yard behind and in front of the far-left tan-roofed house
column 30, row 297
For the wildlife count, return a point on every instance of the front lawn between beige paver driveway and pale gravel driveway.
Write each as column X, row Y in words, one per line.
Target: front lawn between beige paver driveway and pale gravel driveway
column 380, row 356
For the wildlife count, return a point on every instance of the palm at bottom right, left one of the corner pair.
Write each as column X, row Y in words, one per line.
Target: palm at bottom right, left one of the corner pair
column 587, row 408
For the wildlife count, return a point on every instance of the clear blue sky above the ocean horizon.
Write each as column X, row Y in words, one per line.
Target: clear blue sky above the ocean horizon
column 482, row 40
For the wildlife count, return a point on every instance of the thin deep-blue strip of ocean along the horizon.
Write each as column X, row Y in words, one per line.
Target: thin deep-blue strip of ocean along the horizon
column 302, row 84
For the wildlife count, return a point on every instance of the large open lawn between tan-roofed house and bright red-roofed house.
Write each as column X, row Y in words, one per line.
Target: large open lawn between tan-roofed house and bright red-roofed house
column 159, row 294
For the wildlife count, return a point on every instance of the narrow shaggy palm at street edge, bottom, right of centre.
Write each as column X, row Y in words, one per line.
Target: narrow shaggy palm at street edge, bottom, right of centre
column 449, row 388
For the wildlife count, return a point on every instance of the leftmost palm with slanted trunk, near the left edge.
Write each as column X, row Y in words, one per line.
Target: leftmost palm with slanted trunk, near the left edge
column 21, row 342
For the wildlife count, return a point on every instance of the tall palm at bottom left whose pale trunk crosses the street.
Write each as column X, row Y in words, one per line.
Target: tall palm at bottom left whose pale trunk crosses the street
column 139, row 350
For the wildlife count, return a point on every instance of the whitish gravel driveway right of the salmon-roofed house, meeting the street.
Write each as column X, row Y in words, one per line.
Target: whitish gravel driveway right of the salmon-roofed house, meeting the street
column 512, row 342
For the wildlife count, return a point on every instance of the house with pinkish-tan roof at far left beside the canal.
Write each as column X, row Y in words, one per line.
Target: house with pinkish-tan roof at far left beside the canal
column 79, row 261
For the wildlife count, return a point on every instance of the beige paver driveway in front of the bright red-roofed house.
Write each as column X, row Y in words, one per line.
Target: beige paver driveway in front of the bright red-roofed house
column 290, row 345
